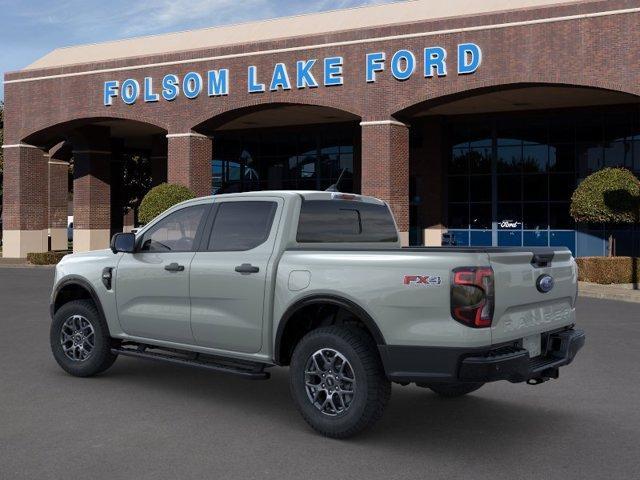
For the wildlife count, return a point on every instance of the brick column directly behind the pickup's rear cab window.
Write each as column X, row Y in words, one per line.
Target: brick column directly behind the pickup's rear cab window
column 385, row 168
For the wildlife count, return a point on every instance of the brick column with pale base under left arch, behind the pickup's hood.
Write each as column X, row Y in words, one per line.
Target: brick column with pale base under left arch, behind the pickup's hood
column 91, row 190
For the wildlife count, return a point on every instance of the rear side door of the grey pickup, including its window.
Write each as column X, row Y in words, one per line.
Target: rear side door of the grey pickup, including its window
column 228, row 274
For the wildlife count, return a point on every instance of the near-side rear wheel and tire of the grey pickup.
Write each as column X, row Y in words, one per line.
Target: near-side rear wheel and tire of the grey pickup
column 347, row 413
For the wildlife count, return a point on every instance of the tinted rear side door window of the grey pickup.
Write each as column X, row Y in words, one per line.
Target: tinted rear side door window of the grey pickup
column 241, row 225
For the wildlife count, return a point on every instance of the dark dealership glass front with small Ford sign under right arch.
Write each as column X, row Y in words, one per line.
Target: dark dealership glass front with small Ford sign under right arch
column 510, row 177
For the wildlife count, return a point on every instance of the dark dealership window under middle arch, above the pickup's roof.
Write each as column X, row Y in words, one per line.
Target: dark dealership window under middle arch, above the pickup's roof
column 296, row 158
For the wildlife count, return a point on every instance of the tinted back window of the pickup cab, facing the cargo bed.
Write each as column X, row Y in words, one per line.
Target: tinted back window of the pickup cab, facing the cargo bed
column 323, row 221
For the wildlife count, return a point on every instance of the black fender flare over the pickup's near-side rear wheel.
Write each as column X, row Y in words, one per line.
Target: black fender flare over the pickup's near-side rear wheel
column 348, row 305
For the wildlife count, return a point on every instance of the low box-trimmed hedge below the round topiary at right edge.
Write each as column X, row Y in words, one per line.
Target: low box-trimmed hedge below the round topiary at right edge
column 607, row 270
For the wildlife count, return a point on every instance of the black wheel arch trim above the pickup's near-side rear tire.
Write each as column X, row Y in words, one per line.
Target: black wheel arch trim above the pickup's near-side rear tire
column 289, row 316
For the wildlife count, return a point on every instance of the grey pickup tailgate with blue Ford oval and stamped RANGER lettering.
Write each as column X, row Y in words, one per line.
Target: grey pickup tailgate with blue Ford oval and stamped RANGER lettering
column 522, row 309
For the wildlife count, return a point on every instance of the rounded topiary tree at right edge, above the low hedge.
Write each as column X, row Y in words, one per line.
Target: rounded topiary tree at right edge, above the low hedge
column 611, row 195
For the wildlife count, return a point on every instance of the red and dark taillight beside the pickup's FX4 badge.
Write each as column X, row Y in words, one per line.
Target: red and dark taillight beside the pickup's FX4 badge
column 472, row 296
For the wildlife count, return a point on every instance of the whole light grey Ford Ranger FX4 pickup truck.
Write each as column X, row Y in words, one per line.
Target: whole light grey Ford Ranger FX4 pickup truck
column 318, row 282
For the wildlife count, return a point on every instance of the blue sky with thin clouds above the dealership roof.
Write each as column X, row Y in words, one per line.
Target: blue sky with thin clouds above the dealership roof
column 31, row 28
